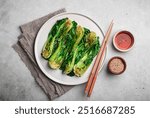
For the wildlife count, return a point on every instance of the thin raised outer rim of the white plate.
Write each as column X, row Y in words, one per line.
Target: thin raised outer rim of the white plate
column 36, row 56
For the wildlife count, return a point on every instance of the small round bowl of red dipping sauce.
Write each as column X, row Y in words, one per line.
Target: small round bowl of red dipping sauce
column 123, row 41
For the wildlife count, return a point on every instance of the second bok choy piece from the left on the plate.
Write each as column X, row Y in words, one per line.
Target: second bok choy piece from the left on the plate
column 64, row 45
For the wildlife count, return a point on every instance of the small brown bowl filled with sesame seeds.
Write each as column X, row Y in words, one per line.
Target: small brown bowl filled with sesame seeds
column 116, row 65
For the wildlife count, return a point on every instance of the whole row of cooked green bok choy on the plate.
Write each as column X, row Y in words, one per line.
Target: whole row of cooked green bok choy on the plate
column 70, row 47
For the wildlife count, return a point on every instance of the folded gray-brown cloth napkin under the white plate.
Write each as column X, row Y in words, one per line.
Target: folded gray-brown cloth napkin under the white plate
column 25, row 49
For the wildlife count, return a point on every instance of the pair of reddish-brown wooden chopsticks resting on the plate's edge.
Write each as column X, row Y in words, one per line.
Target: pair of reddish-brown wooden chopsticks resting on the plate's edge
column 94, row 72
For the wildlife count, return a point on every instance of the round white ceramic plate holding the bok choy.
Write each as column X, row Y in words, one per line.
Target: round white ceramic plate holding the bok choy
column 57, row 75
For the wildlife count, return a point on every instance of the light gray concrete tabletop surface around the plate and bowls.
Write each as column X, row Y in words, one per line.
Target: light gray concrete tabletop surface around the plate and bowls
column 16, row 82
